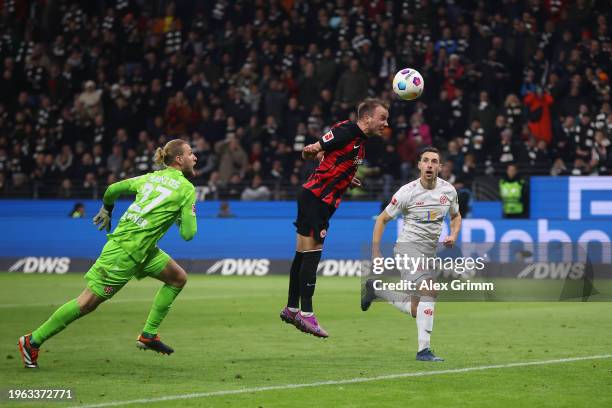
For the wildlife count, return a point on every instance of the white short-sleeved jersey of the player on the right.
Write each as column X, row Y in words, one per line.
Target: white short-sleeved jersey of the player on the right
column 423, row 211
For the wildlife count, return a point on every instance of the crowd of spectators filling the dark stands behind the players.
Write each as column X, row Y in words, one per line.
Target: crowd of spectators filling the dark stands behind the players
column 90, row 89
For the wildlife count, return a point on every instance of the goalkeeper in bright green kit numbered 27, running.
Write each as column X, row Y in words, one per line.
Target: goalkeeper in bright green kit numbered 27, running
column 162, row 198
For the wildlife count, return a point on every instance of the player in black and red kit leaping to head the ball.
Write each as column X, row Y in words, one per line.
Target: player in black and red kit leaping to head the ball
column 340, row 151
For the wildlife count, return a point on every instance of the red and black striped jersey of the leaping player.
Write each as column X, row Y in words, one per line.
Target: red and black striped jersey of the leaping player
column 344, row 151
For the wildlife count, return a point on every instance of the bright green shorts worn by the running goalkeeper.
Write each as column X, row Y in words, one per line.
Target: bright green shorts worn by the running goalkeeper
column 115, row 267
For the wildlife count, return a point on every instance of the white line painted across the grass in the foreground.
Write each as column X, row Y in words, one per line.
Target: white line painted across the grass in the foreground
column 341, row 382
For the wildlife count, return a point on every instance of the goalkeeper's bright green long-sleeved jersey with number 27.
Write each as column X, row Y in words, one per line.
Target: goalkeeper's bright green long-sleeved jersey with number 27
column 162, row 198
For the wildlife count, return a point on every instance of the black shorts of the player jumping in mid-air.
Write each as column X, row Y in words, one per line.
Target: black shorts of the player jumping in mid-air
column 313, row 215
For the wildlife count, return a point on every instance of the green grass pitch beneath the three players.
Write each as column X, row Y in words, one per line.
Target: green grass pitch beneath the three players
column 228, row 336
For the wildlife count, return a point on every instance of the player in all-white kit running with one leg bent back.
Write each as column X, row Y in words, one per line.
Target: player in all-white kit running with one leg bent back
column 423, row 204
